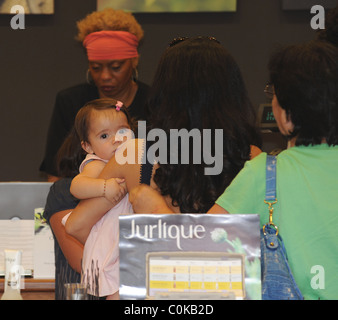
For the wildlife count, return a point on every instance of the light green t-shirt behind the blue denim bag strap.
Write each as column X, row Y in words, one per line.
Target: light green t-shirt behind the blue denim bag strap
column 306, row 212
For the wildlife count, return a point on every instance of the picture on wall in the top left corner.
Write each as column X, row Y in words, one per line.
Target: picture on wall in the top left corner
column 29, row 6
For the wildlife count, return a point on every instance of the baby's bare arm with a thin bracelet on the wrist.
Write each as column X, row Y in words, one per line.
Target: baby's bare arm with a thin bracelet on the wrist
column 86, row 184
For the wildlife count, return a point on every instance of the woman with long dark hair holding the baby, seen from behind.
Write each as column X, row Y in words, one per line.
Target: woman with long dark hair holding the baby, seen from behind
column 199, row 86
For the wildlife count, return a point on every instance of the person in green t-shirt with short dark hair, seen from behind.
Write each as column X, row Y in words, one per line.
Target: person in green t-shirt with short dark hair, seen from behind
column 304, row 92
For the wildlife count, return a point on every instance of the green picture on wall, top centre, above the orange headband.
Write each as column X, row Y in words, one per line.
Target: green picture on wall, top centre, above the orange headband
column 154, row 6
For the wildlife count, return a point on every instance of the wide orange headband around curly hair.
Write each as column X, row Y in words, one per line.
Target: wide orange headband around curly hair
column 111, row 45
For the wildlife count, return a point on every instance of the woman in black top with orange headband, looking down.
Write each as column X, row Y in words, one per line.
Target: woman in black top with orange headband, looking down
column 111, row 39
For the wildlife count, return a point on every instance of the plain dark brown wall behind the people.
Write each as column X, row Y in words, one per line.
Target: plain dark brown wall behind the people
column 43, row 58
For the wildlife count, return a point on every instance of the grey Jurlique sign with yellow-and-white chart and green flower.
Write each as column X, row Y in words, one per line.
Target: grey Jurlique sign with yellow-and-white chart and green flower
column 189, row 254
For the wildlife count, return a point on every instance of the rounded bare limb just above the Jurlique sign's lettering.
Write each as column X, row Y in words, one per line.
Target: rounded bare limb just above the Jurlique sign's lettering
column 147, row 200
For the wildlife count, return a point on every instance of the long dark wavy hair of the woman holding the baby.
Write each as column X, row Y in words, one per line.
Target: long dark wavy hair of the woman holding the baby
column 199, row 85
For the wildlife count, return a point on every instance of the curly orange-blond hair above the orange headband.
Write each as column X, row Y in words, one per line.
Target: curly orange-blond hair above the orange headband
column 109, row 19
